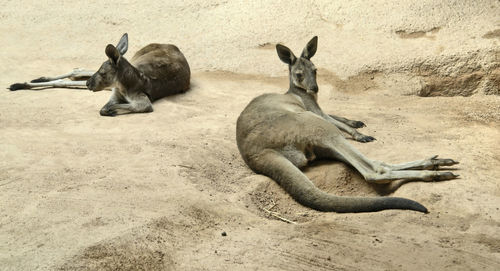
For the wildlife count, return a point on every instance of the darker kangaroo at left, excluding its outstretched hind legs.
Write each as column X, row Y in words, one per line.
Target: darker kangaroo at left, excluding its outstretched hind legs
column 155, row 71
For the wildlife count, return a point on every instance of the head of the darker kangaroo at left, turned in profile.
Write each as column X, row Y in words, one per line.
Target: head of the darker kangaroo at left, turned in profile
column 106, row 75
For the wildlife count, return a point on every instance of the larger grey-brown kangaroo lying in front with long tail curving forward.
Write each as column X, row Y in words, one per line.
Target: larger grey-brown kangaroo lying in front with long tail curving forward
column 278, row 134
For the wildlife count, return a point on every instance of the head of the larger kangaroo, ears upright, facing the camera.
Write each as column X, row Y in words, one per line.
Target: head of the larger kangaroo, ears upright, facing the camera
column 302, row 70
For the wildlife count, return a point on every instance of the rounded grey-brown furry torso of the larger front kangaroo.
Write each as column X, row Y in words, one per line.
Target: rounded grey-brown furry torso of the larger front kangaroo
column 285, row 127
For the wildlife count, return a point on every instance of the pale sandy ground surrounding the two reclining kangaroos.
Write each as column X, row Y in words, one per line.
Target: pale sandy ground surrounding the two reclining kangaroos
column 156, row 191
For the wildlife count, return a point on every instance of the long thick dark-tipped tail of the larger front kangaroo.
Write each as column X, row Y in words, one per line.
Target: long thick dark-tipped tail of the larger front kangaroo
column 276, row 166
